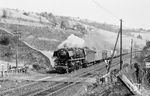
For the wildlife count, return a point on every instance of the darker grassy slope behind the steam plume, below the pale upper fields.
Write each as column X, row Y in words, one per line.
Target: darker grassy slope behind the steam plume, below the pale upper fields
column 32, row 35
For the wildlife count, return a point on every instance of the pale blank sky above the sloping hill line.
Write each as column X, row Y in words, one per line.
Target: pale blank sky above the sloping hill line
column 135, row 13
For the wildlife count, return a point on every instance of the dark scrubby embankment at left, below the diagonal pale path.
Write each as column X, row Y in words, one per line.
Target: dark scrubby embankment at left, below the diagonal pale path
column 26, row 55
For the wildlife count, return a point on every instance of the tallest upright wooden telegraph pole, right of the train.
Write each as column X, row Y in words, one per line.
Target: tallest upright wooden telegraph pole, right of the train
column 121, row 44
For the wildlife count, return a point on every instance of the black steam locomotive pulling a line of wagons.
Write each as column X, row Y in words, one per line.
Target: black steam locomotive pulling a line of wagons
column 67, row 60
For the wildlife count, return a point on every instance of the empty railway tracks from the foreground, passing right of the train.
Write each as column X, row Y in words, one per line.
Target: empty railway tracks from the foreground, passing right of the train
column 52, row 88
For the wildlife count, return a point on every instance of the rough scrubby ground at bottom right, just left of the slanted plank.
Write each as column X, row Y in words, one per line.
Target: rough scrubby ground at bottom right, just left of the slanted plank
column 117, row 89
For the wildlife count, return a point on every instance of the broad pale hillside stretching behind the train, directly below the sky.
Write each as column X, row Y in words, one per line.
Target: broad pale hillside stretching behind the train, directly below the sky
column 45, row 31
